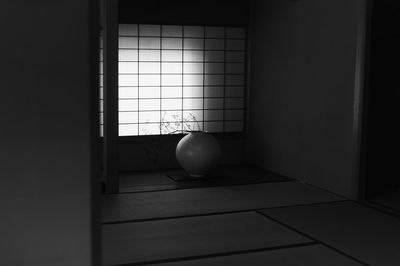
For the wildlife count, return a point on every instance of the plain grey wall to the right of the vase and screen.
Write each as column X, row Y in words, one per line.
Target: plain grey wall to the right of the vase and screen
column 304, row 58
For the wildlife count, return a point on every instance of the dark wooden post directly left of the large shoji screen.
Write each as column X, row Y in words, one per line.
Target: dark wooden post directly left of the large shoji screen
column 110, row 148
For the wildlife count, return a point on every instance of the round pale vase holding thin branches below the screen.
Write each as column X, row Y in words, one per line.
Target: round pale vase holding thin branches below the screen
column 197, row 152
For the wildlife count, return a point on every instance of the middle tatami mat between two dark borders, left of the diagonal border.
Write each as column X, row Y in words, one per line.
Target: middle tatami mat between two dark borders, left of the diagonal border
column 195, row 236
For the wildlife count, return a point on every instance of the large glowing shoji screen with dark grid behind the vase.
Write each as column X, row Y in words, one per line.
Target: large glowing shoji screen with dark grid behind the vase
column 177, row 78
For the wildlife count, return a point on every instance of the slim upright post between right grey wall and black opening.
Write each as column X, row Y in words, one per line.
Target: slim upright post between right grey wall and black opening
column 362, row 164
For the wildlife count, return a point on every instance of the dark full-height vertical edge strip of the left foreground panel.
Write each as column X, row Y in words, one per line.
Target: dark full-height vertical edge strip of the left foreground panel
column 95, row 140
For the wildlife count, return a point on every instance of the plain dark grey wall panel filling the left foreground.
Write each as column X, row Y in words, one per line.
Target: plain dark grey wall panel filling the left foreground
column 45, row 133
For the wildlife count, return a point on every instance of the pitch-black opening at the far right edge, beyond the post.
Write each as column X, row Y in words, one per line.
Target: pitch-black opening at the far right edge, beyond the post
column 383, row 134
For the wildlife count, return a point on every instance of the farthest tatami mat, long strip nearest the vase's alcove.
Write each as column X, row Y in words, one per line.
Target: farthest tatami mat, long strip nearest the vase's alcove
column 162, row 204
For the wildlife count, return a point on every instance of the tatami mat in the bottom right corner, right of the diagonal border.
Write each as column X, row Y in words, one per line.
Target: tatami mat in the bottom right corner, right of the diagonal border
column 361, row 232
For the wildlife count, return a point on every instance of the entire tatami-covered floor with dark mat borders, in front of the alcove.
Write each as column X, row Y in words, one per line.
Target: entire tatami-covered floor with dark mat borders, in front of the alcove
column 280, row 223
